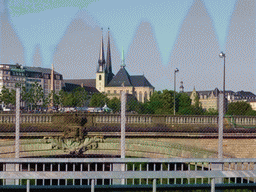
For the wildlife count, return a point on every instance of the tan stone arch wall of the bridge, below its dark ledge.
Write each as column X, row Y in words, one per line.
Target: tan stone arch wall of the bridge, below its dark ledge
column 153, row 147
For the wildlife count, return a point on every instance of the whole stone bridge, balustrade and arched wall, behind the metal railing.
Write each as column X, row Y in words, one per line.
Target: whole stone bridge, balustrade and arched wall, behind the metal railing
column 147, row 135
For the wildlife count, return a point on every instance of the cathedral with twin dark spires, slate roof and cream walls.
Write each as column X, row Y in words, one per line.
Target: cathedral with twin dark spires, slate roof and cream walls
column 112, row 85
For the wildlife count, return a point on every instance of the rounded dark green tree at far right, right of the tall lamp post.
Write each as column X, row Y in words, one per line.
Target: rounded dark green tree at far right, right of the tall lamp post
column 239, row 108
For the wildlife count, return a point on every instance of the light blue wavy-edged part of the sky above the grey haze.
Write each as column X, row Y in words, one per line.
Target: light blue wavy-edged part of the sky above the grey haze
column 45, row 22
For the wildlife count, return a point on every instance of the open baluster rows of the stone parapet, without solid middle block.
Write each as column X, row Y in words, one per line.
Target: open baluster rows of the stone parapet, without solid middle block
column 136, row 119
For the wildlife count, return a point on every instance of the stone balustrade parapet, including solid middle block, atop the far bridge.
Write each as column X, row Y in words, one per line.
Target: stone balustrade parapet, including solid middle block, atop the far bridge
column 135, row 119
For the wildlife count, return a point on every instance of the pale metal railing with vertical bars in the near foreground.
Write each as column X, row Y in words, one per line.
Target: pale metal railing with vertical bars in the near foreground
column 129, row 171
